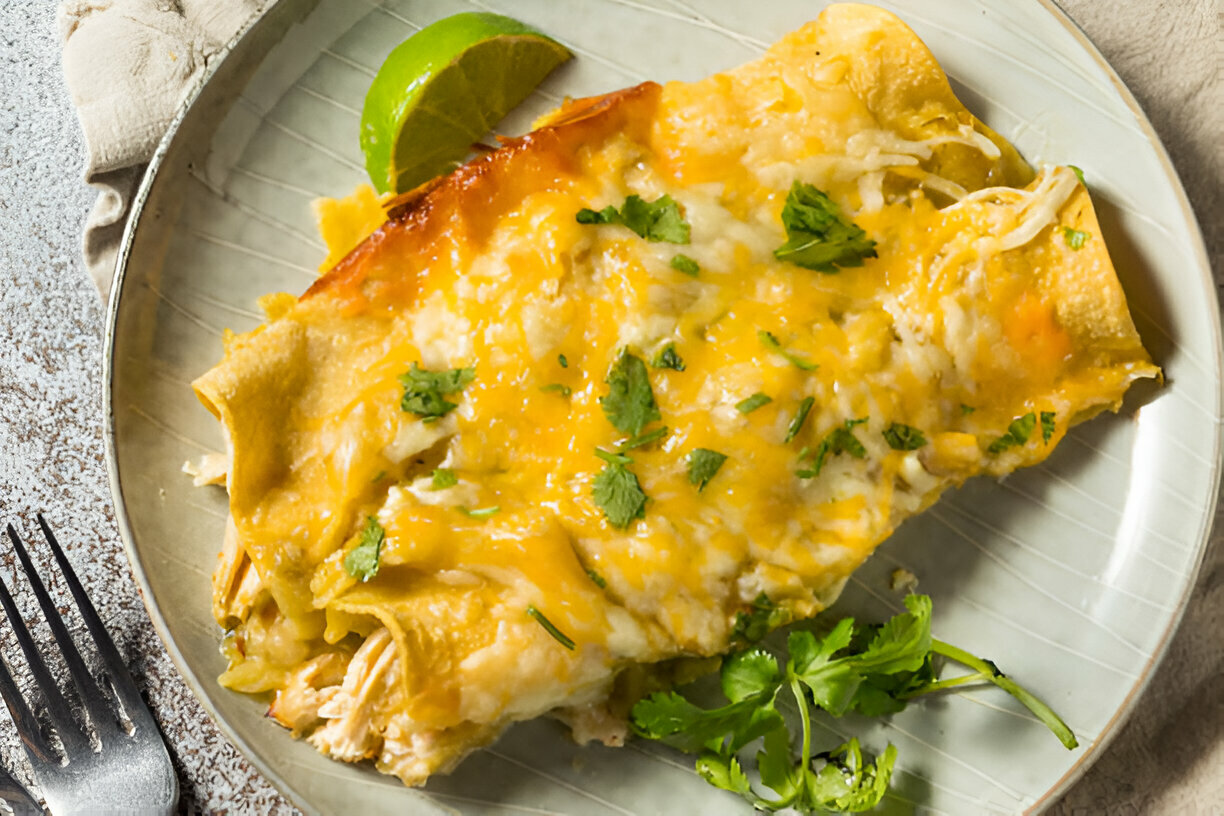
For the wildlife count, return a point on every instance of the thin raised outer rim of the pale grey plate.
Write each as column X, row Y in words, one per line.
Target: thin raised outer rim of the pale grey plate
column 138, row 210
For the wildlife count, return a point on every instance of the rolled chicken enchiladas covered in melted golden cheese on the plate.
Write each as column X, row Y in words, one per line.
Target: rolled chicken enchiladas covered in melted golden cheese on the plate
column 992, row 300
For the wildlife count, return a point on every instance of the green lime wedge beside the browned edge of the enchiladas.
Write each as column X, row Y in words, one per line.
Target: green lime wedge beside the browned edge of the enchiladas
column 444, row 89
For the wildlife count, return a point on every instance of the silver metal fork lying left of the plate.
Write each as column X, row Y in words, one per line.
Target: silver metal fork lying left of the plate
column 118, row 764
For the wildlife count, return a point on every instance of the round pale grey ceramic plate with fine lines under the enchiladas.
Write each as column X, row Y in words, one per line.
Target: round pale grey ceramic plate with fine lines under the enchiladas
column 1073, row 574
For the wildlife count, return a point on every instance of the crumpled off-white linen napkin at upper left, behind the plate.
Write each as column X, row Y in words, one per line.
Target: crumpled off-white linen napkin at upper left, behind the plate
column 129, row 65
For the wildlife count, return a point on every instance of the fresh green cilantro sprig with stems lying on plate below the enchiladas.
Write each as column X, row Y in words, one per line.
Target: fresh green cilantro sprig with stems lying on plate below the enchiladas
column 871, row 670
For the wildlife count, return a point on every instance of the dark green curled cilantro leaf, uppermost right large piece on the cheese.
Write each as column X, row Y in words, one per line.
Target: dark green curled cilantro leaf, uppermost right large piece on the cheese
column 819, row 237
